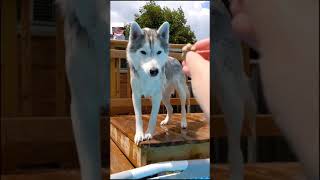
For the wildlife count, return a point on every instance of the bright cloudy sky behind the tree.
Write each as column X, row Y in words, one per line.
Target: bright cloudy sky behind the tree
column 197, row 13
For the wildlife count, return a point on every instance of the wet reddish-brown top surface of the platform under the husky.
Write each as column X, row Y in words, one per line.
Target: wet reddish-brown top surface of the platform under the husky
column 171, row 134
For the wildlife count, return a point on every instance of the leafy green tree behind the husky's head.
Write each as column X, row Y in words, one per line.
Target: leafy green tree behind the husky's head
column 152, row 15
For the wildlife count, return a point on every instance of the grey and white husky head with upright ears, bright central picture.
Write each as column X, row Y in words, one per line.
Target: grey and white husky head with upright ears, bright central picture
column 148, row 48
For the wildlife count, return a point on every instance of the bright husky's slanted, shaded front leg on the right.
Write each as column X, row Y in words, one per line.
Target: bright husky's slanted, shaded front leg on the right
column 156, row 100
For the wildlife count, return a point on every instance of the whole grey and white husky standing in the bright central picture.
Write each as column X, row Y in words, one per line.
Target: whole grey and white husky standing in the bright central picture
column 154, row 74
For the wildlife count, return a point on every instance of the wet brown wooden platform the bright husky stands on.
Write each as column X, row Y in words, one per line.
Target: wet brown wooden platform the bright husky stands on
column 190, row 143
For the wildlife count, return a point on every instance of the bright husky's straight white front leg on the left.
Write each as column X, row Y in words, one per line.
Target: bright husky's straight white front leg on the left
column 136, row 100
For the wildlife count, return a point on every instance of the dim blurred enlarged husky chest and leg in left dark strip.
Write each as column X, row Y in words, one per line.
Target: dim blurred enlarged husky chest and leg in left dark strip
column 86, row 61
